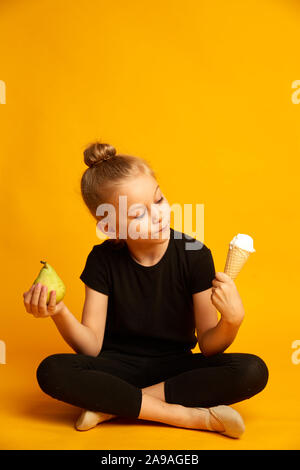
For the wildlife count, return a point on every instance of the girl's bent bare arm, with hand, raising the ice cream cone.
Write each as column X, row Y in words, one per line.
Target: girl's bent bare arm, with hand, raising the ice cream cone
column 215, row 336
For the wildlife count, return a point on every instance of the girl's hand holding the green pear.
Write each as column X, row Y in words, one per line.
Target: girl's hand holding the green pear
column 35, row 301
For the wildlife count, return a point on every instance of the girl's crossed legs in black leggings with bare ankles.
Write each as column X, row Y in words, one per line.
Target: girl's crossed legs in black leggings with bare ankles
column 201, row 381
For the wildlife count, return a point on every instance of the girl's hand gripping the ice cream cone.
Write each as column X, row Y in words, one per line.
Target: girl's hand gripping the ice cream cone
column 226, row 299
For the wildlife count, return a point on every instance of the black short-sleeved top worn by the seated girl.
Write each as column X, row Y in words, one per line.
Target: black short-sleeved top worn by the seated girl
column 150, row 308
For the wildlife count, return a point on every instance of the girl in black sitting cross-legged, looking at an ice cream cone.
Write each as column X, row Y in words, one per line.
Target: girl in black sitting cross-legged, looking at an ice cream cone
column 148, row 288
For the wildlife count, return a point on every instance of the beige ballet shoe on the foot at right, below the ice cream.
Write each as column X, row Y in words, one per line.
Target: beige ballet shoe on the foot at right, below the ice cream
column 229, row 418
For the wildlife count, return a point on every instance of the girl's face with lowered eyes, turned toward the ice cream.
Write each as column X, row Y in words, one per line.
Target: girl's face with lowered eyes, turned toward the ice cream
column 145, row 212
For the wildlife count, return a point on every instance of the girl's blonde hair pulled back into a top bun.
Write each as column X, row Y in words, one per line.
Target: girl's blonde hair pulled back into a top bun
column 107, row 171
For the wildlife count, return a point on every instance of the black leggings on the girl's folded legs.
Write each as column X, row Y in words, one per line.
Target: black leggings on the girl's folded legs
column 112, row 381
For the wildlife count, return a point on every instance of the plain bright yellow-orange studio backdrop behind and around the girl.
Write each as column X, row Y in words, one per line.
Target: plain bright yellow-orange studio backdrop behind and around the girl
column 203, row 91
